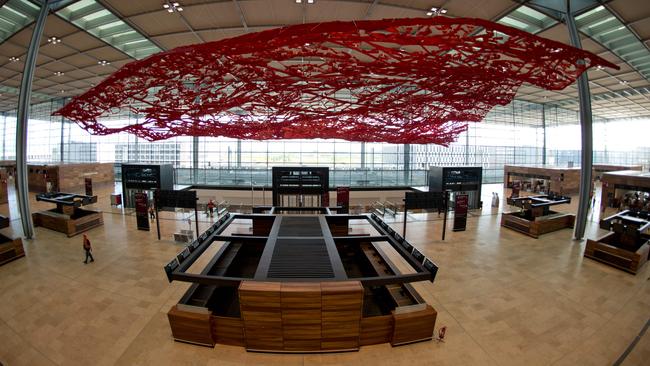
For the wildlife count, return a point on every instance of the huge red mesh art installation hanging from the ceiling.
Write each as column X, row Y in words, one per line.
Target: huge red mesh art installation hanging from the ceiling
column 397, row 80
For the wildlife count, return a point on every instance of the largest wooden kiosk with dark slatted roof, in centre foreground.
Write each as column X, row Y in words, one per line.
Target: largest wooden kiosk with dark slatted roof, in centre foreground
column 301, row 283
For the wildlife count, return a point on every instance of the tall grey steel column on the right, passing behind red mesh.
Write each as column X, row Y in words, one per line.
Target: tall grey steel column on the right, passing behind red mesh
column 584, row 97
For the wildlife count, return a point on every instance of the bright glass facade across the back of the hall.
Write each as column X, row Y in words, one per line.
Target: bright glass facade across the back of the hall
column 519, row 133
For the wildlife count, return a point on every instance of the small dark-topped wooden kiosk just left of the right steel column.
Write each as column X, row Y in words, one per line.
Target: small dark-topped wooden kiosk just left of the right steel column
column 536, row 217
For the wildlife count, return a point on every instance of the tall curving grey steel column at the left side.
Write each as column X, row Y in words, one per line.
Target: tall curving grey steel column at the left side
column 22, row 192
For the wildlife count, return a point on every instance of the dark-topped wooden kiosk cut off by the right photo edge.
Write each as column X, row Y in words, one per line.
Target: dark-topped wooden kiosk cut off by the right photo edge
column 627, row 246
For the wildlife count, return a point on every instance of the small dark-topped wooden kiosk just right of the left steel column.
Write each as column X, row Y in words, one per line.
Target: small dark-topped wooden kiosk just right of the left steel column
column 68, row 217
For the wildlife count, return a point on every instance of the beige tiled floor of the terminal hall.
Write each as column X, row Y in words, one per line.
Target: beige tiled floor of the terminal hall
column 506, row 299
